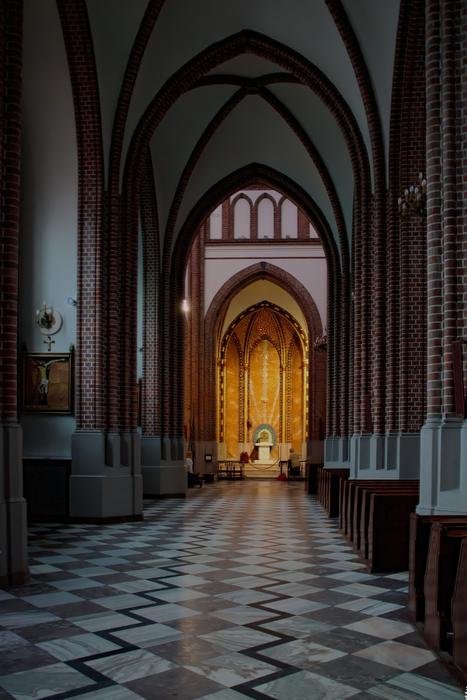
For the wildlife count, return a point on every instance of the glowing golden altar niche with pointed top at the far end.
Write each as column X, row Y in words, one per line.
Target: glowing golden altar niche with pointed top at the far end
column 263, row 386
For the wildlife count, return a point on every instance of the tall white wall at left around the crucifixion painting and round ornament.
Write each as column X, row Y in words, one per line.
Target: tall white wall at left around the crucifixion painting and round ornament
column 49, row 207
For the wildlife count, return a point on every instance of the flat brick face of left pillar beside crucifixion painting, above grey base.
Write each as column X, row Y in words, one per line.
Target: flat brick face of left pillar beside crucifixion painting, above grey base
column 91, row 372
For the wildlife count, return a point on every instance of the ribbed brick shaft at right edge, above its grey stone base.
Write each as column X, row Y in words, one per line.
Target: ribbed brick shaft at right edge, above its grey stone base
column 446, row 137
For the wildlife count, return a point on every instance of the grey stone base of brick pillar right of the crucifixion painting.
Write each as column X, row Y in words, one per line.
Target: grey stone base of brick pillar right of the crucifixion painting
column 106, row 482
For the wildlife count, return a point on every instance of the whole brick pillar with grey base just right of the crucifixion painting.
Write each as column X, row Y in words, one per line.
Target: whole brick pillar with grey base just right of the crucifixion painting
column 104, row 484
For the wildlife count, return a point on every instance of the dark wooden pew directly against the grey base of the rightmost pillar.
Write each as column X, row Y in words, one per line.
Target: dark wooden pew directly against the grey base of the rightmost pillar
column 419, row 538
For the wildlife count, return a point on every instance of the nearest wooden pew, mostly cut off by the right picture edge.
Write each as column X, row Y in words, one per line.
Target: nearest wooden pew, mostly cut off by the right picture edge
column 459, row 614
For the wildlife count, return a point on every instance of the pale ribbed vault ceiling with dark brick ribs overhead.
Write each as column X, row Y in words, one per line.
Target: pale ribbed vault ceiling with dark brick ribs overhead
column 276, row 118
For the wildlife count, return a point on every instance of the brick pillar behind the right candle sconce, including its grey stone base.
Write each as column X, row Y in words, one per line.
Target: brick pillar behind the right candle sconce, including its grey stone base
column 408, row 237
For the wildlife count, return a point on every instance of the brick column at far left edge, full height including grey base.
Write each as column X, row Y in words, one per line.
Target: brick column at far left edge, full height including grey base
column 13, row 525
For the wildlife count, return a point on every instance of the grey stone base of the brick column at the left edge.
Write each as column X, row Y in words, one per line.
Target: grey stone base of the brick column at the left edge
column 13, row 513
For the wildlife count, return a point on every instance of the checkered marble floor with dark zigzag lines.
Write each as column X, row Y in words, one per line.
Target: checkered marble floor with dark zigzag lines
column 242, row 590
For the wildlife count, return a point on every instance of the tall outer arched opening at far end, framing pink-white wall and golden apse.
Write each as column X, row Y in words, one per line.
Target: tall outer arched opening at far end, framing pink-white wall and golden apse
column 254, row 310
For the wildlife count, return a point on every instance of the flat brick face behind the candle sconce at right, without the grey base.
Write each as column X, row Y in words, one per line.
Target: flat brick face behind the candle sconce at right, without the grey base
column 411, row 234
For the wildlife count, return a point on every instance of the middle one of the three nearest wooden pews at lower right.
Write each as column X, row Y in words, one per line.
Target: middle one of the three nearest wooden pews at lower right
column 440, row 579
